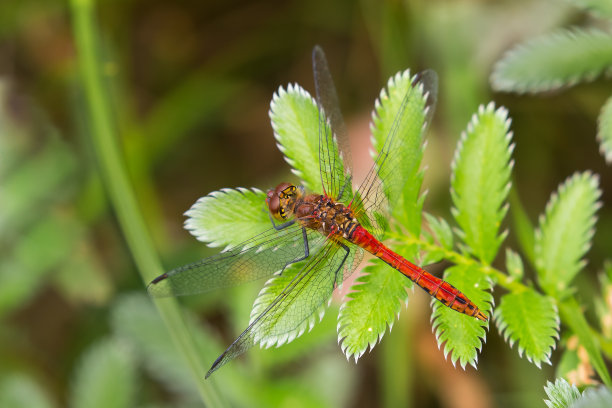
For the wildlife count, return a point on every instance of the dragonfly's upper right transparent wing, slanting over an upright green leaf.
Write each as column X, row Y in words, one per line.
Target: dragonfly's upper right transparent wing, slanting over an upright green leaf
column 386, row 179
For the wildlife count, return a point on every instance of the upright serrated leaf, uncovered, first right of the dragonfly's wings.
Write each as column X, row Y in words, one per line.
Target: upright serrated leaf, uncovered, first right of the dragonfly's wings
column 480, row 181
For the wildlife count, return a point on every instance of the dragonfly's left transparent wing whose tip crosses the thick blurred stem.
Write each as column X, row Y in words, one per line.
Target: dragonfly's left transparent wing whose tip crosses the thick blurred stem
column 260, row 256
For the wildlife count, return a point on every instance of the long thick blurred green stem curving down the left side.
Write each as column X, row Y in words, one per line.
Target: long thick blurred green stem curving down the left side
column 121, row 194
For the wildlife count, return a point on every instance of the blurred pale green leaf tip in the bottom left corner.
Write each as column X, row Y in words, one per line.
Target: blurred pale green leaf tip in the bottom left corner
column 21, row 391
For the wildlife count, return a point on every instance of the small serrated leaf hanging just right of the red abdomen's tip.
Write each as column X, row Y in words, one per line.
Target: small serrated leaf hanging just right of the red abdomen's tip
column 532, row 321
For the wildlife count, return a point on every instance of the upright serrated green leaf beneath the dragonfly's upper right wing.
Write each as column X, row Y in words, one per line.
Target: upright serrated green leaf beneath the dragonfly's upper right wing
column 400, row 171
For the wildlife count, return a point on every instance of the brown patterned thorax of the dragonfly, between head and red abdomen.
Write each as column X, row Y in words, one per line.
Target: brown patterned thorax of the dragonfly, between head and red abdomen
column 325, row 215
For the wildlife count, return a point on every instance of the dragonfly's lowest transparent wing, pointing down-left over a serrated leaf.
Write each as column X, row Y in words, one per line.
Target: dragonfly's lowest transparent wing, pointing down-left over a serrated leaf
column 281, row 318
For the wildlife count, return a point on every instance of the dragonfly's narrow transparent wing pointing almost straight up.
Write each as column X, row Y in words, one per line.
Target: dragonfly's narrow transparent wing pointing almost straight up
column 334, row 153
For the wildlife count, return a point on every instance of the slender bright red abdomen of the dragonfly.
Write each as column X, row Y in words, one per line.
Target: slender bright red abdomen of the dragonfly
column 436, row 287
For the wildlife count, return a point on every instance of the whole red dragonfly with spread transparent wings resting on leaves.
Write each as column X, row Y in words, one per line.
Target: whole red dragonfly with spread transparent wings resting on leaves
column 324, row 235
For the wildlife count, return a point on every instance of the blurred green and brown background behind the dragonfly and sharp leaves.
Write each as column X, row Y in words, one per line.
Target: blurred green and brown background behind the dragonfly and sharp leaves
column 190, row 84
